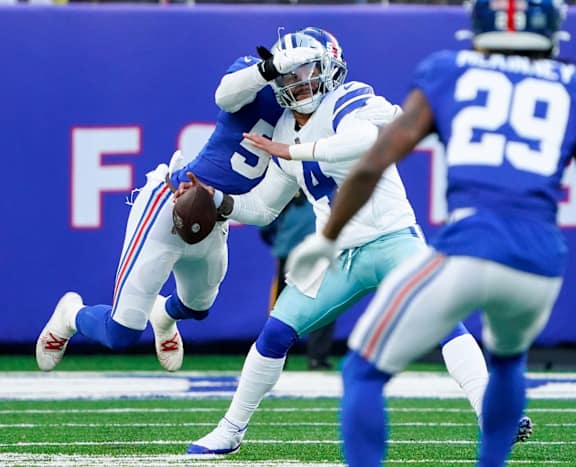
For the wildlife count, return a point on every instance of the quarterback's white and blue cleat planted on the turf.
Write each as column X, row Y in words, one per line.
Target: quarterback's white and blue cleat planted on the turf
column 225, row 439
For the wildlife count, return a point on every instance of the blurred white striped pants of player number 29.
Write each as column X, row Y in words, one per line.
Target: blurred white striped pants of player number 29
column 421, row 301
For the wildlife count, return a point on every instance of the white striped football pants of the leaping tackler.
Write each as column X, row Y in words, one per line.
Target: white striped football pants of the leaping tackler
column 151, row 252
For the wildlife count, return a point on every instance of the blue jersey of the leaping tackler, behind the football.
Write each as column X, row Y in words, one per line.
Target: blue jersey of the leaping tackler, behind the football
column 228, row 162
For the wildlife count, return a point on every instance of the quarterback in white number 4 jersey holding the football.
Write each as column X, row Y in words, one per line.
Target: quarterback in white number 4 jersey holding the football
column 326, row 127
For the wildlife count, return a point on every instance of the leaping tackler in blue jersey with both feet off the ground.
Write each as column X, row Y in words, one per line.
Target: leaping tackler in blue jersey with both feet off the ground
column 151, row 252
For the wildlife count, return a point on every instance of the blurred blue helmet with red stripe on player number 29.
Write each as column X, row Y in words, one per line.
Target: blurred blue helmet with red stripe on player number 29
column 529, row 25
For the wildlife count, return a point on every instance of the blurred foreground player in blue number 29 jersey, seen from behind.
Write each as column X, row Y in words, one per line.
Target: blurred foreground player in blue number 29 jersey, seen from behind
column 506, row 114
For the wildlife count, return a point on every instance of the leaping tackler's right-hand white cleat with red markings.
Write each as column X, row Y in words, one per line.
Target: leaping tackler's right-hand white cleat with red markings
column 167, row 339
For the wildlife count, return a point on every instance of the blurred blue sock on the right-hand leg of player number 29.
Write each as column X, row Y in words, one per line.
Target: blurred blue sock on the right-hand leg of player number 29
column 502, row 408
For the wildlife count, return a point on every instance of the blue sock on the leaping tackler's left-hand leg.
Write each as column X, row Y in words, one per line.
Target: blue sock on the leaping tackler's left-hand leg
column 96, row 323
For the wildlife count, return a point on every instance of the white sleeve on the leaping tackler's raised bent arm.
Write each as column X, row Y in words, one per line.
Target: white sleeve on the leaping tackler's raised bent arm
column 239, row 88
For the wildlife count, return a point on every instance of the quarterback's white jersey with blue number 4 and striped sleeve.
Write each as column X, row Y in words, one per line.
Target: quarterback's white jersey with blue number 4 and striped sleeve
column 340, row 111
